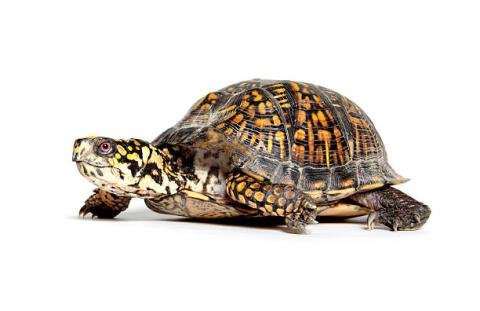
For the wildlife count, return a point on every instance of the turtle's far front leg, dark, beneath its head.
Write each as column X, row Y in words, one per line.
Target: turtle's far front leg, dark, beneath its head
column 103, row 204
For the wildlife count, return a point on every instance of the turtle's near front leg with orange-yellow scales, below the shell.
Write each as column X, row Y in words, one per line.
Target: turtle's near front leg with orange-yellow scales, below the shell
column 286, row 201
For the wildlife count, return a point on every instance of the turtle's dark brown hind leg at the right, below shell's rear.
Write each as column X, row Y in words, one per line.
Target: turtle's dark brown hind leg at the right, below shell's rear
column 393, row 208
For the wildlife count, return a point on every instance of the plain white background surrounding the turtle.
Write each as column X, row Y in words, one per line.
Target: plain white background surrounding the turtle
column 124, row 69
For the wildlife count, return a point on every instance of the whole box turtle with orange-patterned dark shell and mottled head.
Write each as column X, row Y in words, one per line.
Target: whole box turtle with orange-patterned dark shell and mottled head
column 256, row 148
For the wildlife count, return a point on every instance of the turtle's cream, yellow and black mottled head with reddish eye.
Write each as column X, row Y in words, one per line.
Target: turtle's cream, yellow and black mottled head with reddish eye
column 129, row 167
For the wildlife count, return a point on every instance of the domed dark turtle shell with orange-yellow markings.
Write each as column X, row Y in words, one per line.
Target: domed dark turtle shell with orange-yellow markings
column 290, row 133
